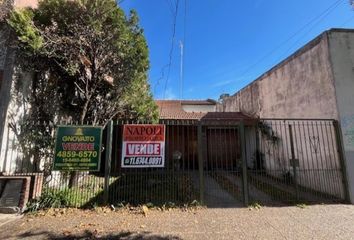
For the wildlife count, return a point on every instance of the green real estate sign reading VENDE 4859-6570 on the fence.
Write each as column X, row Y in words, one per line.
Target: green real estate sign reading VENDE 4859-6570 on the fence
column 78, row 148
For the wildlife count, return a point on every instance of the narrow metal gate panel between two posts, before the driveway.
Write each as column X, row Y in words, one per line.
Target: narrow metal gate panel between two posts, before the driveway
column 222, row 165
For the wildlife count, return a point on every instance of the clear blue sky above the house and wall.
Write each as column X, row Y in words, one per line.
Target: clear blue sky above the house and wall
column 227, row 43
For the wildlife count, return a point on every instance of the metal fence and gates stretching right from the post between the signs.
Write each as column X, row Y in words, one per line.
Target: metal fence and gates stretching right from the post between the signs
column 230, row 163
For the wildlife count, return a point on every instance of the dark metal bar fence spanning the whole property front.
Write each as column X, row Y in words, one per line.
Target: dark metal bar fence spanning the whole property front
column 220, row 164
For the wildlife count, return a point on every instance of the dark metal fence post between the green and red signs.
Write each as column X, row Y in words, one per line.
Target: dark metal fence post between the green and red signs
column 108, row 161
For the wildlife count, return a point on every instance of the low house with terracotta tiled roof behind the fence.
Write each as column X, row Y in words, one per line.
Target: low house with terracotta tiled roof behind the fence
column 220, row 133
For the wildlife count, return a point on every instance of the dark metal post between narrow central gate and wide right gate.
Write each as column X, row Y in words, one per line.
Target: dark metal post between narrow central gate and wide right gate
column 244, row 162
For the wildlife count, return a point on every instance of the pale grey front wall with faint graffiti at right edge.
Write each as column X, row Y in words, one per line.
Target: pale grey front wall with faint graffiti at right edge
column 342, row 56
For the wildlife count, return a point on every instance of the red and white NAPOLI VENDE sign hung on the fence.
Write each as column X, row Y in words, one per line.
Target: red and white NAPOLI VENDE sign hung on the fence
column 143, row 146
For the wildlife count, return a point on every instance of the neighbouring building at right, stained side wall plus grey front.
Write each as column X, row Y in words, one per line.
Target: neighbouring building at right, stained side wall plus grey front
column 315, row 82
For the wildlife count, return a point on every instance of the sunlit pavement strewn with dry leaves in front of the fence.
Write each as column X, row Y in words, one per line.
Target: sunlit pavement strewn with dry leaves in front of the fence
column 305, row 222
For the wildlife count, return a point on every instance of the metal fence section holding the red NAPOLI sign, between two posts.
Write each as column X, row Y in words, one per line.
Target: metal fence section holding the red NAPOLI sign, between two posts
column 175, row 184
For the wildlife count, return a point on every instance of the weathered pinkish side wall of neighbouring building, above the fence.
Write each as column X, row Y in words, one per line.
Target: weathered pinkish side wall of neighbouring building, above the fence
column 299, row 87
